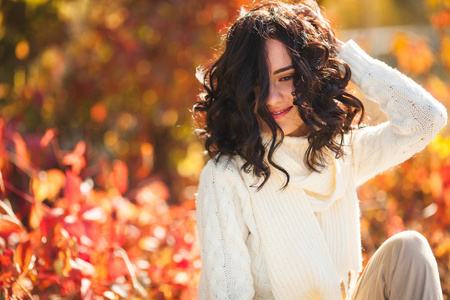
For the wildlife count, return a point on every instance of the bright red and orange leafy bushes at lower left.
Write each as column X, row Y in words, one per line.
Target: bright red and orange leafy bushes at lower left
column 80, row 239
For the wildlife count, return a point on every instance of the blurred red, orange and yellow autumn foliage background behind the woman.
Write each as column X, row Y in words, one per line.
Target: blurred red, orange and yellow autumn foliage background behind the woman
column 98, row 160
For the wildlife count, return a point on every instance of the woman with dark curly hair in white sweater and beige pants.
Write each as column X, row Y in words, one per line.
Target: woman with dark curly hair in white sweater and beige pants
column 277, row 208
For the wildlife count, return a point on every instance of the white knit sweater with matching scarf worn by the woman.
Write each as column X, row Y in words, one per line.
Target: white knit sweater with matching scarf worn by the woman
column 302, row 242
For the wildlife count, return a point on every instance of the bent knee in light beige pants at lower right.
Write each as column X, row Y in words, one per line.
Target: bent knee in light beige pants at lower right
column 403, row 268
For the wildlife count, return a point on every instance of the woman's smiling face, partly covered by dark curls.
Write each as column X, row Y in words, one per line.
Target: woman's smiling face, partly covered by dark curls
column 280, row 99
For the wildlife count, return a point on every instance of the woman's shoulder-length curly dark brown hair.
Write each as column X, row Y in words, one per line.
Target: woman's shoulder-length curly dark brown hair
column 225, row 112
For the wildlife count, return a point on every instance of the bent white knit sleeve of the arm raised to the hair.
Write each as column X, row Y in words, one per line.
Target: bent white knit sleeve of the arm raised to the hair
column 414, row 116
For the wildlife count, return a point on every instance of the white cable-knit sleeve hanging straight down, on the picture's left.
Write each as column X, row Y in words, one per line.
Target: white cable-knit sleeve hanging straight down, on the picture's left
column 226, row 271
